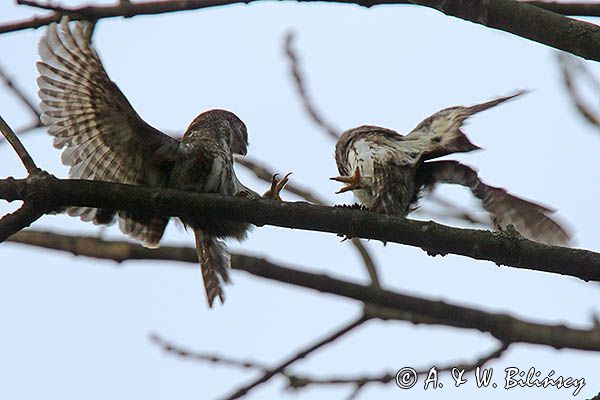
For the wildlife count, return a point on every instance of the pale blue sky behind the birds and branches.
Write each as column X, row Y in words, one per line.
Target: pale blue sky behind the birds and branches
column 77, row 328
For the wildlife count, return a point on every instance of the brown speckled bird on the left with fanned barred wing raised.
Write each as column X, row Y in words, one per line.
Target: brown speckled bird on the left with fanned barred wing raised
column 105, row 139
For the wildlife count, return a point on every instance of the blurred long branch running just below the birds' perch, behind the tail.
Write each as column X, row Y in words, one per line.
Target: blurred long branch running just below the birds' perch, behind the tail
column 382, row 304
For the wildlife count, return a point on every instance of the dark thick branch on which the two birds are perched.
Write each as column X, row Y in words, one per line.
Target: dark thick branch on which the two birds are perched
column 434, row 238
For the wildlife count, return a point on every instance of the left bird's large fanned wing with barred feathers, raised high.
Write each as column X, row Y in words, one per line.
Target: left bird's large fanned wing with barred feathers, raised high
column 102, row 136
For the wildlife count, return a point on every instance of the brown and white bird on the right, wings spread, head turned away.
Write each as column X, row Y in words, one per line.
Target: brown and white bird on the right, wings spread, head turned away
column 387, row 172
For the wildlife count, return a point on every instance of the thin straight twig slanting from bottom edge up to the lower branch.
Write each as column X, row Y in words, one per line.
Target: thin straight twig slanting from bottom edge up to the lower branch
column 298, row 356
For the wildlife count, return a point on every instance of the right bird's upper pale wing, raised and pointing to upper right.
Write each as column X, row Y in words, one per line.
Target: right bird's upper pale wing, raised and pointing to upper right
column 440, row 134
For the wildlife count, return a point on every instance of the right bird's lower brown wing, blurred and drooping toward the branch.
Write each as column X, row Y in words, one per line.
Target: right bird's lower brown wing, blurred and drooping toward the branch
column 529, row 219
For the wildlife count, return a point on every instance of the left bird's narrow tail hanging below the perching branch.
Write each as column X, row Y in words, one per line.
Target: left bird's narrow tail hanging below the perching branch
column 215, row 263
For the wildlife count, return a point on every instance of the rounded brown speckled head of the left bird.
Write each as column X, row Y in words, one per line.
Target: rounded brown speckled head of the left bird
column 223, row 124
